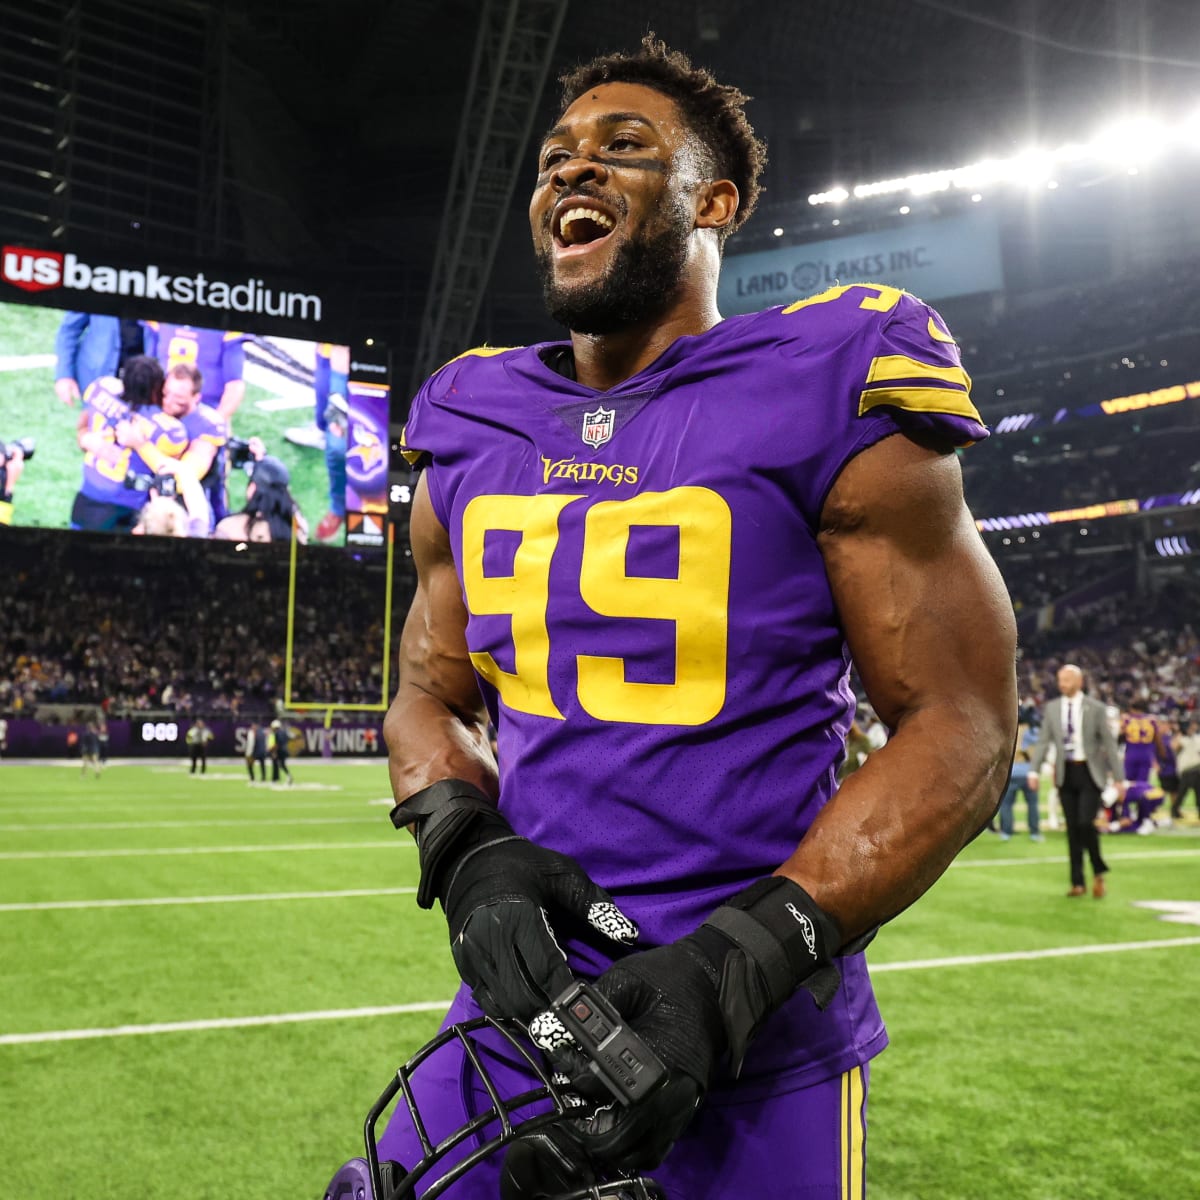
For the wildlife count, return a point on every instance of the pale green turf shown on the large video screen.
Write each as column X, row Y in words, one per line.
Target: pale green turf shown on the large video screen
column 31, row 409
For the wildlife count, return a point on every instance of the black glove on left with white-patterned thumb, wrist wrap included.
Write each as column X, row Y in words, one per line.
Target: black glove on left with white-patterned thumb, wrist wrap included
column 500, row 892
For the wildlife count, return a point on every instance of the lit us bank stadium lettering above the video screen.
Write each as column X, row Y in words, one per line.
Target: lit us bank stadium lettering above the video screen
column 76, row 281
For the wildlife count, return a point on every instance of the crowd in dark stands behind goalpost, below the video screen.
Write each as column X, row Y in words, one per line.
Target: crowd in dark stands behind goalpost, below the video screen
column 88, row 622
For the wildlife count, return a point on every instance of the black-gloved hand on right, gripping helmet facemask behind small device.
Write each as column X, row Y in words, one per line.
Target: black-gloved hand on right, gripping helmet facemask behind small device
column 670, row 998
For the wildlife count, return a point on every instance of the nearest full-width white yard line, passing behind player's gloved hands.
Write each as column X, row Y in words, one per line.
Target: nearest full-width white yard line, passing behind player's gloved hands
column 345, row 1015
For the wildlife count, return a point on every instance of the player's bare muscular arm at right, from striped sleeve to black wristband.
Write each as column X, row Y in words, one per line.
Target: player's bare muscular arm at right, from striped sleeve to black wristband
column 932, row 632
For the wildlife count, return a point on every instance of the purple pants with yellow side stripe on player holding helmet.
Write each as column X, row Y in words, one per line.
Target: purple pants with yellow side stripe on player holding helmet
column 808, row 1144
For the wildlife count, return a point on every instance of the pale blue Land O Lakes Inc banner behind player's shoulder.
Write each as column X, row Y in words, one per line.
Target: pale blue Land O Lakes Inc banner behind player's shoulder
column 933, row 260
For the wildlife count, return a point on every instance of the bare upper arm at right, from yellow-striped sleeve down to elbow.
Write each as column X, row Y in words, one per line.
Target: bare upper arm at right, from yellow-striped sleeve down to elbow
column 923, row 607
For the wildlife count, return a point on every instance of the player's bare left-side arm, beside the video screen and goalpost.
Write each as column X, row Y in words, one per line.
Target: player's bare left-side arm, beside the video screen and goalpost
column 437, row 724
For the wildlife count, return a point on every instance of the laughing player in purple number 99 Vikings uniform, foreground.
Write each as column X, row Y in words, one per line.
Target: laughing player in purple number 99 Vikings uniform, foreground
column 649, row 555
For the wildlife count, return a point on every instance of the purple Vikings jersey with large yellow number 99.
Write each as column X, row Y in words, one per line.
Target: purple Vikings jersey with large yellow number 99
column 650, row 614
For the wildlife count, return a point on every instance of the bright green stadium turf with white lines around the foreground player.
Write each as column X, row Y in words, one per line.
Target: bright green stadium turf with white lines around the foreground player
column 206, row 985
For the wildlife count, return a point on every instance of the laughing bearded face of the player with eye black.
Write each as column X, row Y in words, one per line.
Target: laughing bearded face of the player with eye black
column 615, row 208
